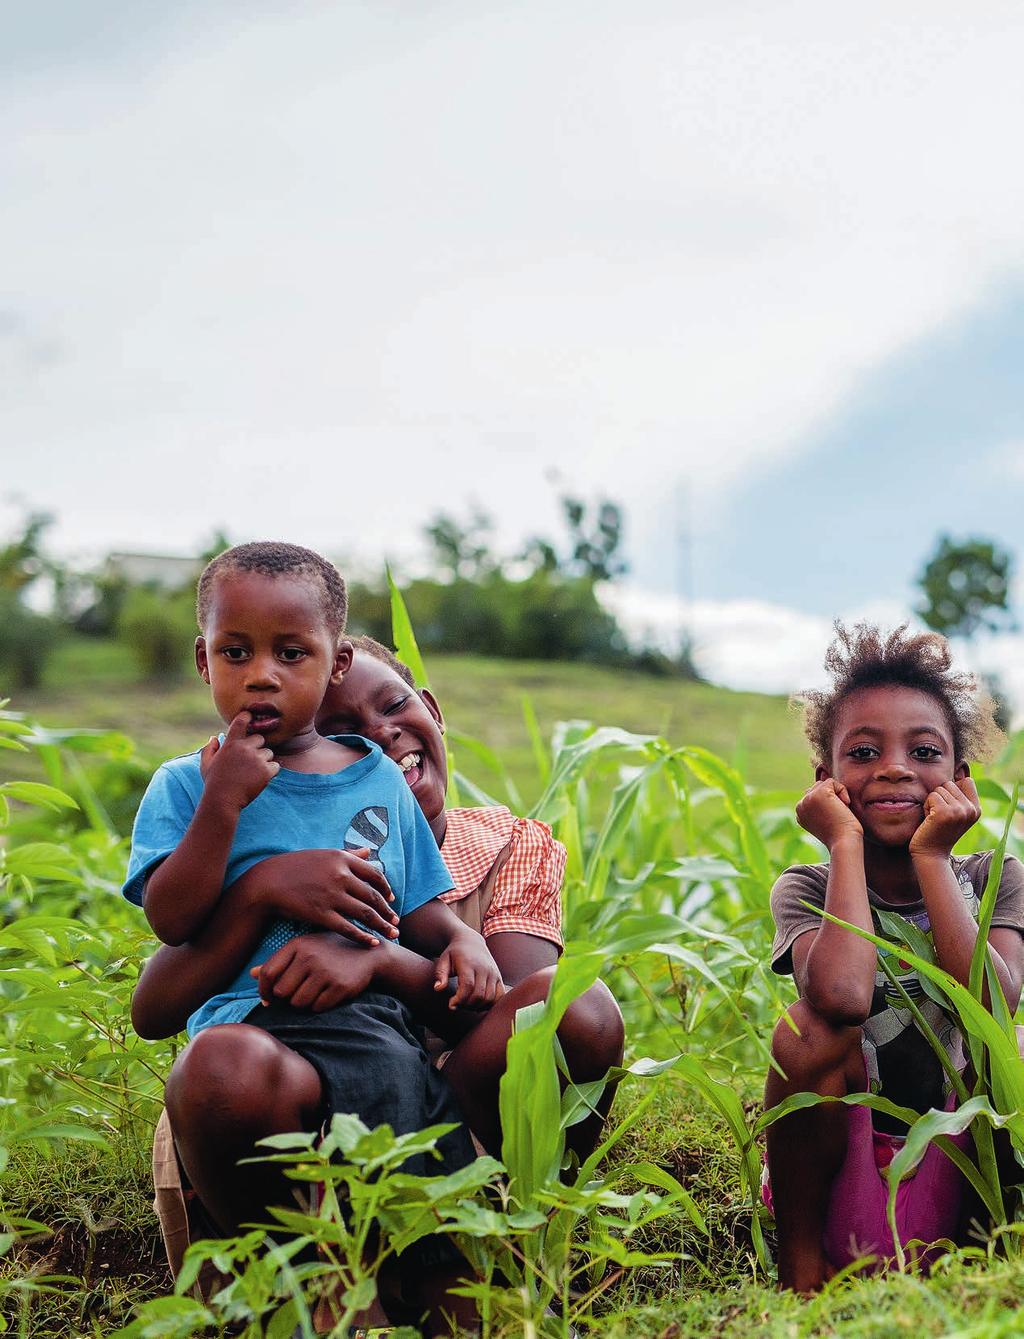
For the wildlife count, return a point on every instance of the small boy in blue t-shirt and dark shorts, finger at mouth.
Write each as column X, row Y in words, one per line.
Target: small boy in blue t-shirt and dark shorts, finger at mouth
column 271, row 619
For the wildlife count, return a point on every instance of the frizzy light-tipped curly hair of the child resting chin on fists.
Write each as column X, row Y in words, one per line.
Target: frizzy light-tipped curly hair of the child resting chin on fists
column 865, row 658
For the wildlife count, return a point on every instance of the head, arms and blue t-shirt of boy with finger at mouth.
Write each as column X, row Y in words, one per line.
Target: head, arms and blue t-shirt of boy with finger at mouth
column 271, row 621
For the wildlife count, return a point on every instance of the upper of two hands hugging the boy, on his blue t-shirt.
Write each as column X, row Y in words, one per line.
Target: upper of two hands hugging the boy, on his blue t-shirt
column 330, row 890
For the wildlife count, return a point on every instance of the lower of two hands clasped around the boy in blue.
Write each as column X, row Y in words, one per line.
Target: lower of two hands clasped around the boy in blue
column 317, row 973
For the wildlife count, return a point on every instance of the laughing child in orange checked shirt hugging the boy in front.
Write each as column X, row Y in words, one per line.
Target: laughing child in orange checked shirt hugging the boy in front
column 508, row 876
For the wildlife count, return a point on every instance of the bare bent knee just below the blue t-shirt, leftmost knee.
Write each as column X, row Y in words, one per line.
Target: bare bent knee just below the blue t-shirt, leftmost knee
column 236, row 1077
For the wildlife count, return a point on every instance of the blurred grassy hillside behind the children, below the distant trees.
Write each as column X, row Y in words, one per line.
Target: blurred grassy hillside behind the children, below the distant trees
column 94, row 685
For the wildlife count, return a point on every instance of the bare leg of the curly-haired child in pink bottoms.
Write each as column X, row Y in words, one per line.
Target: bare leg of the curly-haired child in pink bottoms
column 808, row 1150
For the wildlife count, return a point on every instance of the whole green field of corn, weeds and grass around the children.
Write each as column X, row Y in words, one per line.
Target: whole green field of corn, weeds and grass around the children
column 673, row 852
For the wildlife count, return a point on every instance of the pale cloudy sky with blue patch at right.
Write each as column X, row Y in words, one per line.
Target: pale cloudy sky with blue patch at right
column 318, row 271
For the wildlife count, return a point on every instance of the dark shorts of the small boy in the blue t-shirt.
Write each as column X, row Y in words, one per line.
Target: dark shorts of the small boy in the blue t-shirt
column 373, row 1062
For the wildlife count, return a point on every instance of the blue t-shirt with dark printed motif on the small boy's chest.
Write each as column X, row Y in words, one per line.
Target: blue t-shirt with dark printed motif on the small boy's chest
column 367, row 804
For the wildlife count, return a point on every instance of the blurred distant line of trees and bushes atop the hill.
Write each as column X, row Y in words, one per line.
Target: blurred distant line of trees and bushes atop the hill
column 537, row 603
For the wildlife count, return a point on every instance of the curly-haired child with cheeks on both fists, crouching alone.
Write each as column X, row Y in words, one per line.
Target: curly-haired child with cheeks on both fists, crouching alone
column 892, row 797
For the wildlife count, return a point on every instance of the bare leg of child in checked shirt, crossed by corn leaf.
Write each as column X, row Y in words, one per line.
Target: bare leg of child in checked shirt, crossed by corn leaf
column 592, row 1041
